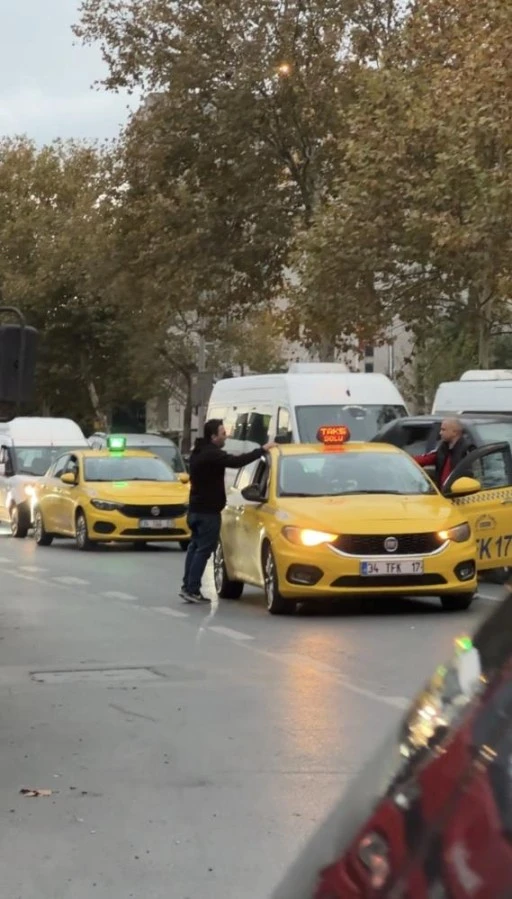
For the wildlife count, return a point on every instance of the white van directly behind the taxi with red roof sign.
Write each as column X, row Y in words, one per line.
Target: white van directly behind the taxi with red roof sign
column 290, row 408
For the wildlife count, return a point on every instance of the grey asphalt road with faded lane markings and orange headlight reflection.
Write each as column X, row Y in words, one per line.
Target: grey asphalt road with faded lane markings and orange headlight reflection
column 190, row 751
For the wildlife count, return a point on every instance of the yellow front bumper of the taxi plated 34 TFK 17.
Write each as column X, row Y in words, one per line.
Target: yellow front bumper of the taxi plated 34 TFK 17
column 323, row 572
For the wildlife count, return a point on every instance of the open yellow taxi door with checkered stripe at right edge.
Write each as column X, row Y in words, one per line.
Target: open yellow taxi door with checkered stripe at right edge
column 489, row 512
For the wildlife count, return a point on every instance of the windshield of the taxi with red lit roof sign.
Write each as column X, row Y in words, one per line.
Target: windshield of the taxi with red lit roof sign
column 338, row 474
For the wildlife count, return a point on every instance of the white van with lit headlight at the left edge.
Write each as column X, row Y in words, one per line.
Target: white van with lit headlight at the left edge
column 28, row 446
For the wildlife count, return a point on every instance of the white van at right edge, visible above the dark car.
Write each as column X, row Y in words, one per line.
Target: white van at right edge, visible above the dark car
column 483, row 392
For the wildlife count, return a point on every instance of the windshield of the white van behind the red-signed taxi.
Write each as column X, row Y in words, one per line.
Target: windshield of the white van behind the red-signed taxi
column 364, row 421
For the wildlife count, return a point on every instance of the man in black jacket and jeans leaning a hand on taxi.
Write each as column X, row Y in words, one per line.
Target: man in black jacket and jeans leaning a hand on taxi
column 208, row 463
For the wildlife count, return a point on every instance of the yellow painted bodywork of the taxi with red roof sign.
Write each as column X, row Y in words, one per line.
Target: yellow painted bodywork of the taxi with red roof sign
column 247, row 526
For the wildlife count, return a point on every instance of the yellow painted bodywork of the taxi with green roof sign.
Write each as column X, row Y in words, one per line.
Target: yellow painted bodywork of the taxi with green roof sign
column 59, row 503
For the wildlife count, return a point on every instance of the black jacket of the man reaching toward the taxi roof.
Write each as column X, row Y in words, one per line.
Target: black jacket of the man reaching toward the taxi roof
column 208, row 466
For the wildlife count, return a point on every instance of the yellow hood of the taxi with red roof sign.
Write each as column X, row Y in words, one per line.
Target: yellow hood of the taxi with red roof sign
column 366, row 514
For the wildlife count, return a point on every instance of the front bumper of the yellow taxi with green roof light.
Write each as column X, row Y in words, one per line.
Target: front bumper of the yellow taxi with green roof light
column 108, row 526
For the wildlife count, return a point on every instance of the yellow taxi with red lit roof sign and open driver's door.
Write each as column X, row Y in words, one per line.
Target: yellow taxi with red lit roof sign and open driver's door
column 338, row 518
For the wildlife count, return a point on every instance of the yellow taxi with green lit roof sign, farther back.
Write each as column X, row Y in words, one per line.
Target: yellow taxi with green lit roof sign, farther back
column 99, row 496
